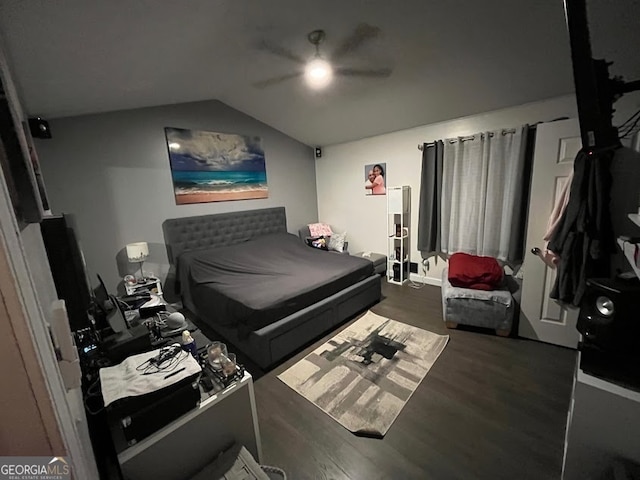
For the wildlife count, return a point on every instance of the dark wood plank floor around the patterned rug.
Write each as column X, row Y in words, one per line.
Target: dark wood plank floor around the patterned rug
column 490, row 407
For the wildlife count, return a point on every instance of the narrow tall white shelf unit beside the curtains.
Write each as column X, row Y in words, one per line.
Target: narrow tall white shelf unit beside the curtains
column 399, row 232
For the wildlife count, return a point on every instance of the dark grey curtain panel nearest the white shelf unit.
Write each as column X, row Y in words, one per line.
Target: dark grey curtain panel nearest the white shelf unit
column 430, row 204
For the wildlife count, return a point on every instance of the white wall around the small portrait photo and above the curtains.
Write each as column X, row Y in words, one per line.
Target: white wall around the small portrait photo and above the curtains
column 340, row 172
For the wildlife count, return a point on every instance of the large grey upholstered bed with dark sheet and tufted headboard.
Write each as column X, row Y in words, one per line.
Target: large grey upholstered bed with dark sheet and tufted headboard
column 264, row 290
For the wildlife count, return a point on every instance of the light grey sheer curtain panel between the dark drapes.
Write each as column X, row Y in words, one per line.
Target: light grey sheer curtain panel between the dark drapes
column 481, row 192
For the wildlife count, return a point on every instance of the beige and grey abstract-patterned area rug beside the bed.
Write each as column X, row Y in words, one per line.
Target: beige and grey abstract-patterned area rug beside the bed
column 364, row 375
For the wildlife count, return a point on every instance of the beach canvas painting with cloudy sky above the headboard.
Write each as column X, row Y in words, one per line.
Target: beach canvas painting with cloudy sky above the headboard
column 215, row 167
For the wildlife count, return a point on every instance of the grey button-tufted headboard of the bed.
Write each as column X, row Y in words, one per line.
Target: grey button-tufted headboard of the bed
column 219, row 230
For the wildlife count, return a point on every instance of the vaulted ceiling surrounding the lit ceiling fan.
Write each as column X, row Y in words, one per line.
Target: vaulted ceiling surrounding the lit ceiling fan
column 448, row 59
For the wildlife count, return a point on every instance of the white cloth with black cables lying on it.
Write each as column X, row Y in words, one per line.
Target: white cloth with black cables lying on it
column 130, row 378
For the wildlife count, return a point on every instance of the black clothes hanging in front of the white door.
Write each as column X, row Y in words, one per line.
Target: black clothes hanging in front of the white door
column 584, row 236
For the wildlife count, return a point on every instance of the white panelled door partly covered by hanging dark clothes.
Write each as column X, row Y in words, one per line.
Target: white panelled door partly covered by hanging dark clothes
column 542, row 318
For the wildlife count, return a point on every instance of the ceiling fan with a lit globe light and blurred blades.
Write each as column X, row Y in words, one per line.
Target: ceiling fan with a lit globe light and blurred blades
column 319, row 70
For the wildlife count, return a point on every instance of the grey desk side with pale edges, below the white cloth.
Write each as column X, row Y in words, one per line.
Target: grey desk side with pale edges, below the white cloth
column 188, row 444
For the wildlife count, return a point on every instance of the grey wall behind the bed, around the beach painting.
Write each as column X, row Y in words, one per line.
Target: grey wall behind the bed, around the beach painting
column 112, row 172
